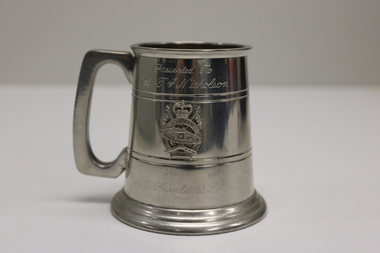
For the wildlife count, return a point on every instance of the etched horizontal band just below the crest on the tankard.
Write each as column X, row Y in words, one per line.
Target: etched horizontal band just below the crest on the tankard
column 192, row 161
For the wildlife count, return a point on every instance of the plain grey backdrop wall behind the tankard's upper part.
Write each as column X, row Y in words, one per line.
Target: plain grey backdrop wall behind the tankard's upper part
column 294, row 41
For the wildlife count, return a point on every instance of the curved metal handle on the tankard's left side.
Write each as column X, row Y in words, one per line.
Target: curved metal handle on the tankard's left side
column 85, row 159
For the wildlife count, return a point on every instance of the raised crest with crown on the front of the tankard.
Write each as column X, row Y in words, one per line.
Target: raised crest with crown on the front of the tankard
column 181, row 132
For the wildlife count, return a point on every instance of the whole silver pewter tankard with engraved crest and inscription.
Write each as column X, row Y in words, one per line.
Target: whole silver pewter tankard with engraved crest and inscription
column 189, row 160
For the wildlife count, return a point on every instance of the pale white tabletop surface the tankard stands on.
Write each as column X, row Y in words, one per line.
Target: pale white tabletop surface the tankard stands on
column 315, row 156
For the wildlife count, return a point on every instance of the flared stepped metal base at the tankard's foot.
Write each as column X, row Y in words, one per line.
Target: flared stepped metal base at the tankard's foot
column 188, row 222
